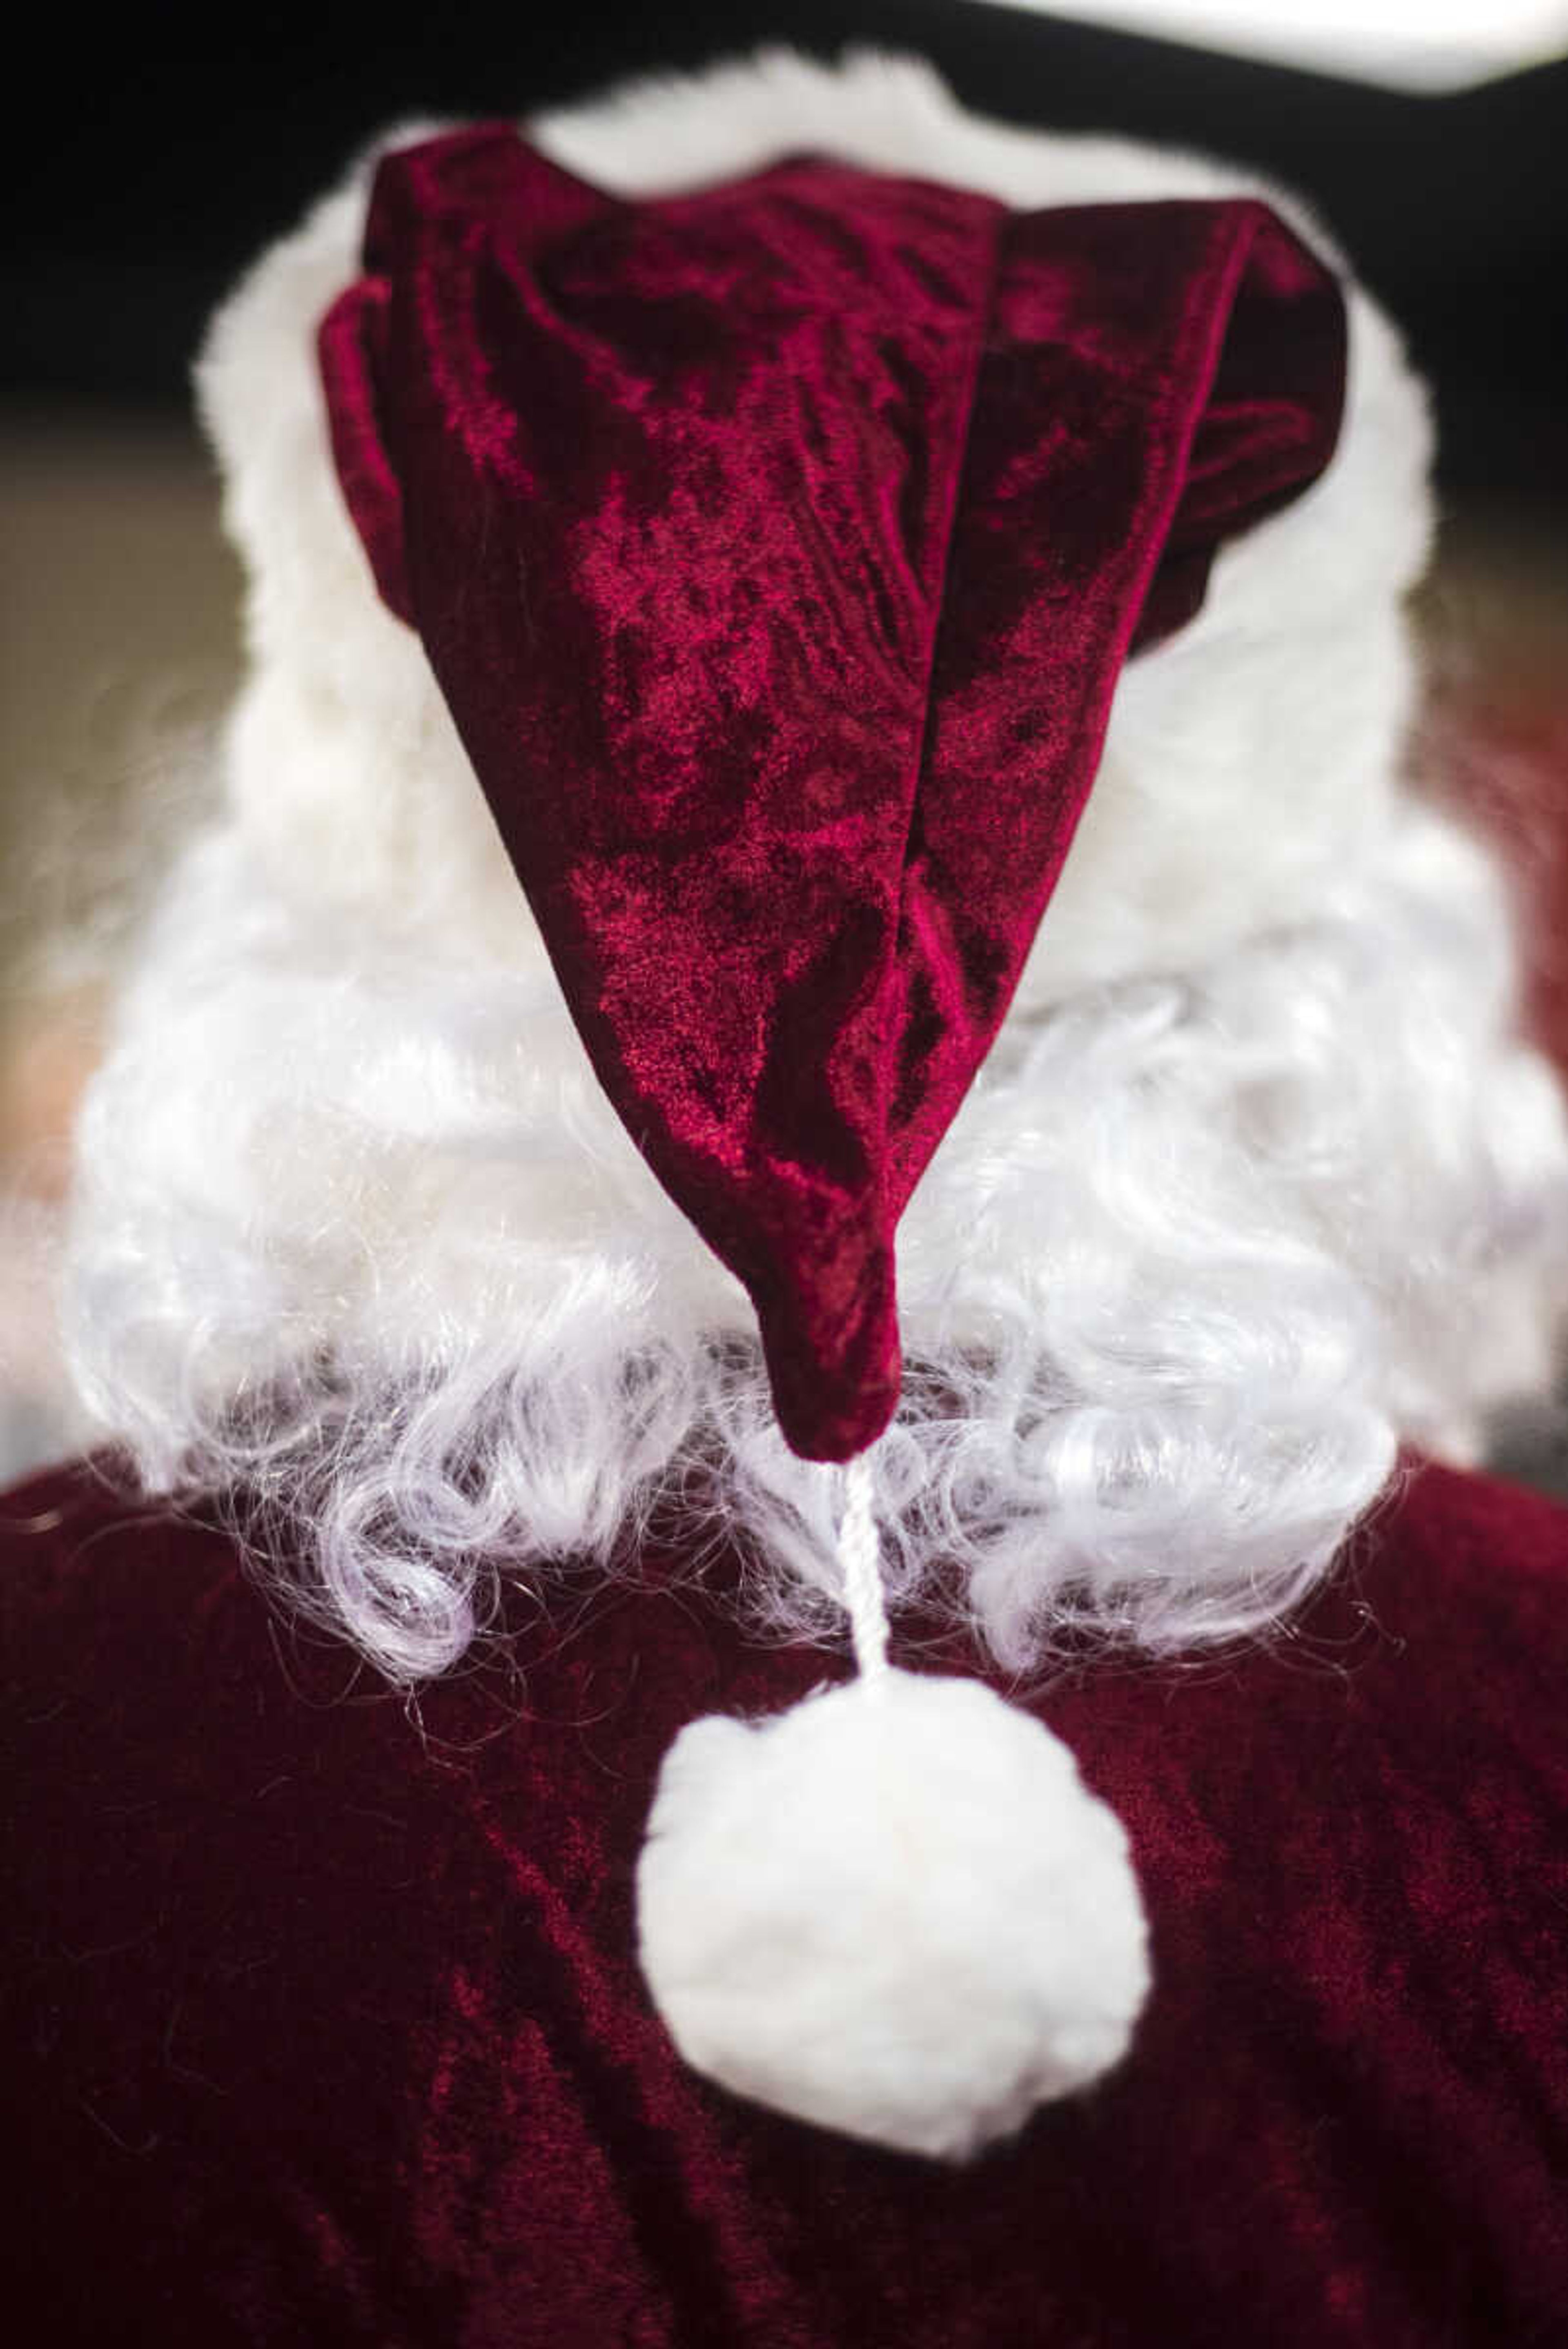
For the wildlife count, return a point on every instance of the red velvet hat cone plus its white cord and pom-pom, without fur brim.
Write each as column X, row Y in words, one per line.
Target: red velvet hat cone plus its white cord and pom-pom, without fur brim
column 777, row 551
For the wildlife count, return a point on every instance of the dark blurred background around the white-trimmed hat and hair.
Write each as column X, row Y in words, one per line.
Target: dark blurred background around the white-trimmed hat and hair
column 152, row 161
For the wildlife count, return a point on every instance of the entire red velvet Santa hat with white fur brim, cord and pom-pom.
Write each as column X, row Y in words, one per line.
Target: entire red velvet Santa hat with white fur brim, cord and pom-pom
column 772, row 516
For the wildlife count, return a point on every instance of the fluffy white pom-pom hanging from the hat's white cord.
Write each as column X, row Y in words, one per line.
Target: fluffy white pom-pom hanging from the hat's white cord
column 892, row 1911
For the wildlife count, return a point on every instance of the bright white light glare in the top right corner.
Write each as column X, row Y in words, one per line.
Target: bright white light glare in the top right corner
column 1405, row 43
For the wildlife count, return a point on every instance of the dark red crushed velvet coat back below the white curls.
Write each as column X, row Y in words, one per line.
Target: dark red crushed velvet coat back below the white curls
column 323, row 2019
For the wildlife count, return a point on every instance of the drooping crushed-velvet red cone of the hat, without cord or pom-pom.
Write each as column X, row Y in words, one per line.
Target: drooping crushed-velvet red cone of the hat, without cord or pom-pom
column 777, row 551
